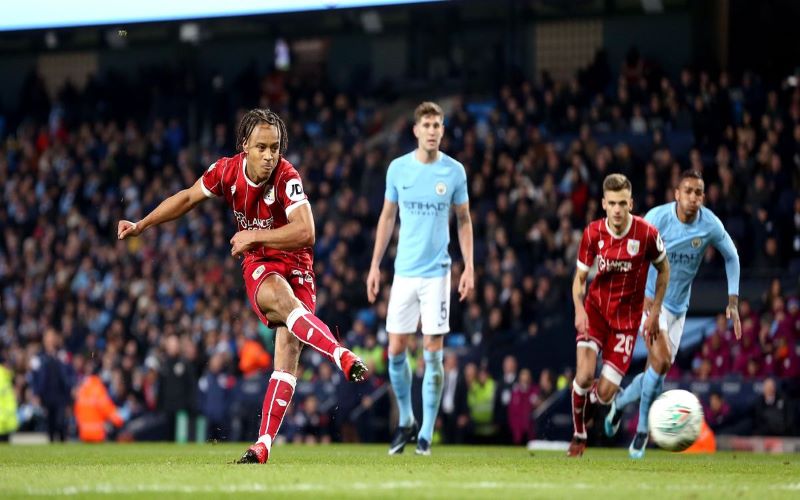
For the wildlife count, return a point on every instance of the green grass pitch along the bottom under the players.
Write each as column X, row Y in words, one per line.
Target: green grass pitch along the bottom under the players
column 345, row 471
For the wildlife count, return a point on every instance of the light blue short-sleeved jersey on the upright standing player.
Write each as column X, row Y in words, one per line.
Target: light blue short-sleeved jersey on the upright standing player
column 424, row 194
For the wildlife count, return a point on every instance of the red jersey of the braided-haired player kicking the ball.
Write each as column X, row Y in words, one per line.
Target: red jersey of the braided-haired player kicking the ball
column 259, row 206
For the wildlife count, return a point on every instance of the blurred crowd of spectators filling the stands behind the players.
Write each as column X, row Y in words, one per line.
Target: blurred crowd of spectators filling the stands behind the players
column 162, row 319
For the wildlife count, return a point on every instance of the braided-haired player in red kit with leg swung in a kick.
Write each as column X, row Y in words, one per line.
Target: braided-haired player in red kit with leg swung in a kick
column 275, row 234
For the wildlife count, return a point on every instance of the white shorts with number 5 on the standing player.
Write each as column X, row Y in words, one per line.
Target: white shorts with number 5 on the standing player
column 413, row 299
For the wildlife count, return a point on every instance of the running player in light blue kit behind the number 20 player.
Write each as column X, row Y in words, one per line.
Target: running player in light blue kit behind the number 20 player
column 687, row 228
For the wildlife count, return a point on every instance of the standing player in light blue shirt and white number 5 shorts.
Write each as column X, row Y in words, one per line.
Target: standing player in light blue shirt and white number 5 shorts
column 422, row 185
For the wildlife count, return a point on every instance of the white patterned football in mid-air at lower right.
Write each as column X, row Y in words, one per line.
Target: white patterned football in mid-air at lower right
column 675, row 420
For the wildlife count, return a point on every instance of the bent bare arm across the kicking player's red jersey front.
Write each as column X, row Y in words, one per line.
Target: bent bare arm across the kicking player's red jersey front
column 298, row 233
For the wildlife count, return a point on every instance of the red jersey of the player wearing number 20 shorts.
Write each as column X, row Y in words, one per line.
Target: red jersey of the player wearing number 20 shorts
column 617, row 290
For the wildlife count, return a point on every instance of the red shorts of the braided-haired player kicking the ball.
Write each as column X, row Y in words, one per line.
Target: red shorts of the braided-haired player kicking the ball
column 301, row 280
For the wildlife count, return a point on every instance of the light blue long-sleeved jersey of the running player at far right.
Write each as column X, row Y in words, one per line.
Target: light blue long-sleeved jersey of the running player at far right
column 686, row 245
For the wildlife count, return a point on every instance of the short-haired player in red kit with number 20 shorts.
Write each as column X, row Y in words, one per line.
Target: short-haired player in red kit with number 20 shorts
column 608, row 318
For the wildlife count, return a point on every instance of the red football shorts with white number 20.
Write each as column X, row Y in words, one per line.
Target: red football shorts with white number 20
column 616, row 347
